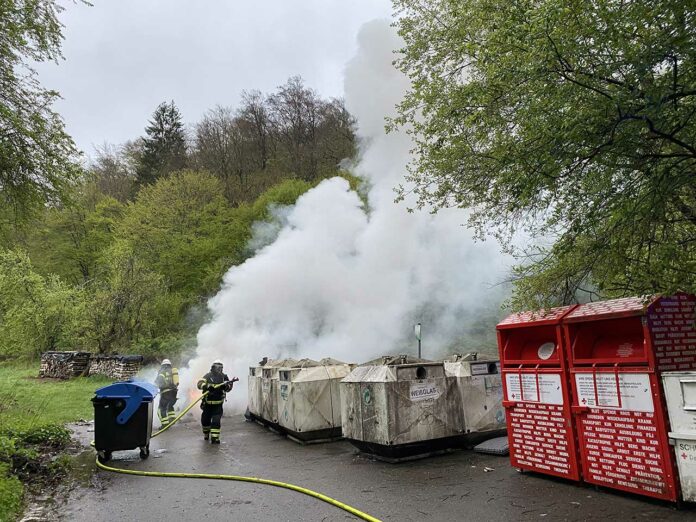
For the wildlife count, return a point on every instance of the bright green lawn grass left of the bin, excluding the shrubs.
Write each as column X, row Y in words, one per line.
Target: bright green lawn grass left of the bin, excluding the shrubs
column 28, row 404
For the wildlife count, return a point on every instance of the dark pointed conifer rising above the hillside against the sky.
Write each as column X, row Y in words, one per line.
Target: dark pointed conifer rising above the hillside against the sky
column 164, row 145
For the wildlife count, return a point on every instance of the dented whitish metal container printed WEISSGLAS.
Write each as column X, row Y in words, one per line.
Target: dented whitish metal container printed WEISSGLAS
column 401, row 407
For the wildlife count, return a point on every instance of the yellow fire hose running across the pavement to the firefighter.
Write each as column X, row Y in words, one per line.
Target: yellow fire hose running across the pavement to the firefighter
column 238, row 478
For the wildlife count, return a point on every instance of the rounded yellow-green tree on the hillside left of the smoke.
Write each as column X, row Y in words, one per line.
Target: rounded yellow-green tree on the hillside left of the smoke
column 180, row 227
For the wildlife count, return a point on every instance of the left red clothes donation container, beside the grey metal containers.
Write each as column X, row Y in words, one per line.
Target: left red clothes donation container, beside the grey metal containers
column 536, row 393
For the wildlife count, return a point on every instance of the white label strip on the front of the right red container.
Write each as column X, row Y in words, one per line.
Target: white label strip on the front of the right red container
column 600, row 390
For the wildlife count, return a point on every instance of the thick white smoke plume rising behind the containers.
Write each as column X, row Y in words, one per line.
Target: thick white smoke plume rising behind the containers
column 349, row 282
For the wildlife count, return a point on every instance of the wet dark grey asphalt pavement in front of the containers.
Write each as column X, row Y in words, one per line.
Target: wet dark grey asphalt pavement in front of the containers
column 455, row 486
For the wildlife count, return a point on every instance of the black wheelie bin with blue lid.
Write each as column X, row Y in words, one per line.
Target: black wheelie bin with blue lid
column 123, row 418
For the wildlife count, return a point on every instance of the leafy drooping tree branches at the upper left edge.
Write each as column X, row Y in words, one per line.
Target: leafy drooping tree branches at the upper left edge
column 37, row 156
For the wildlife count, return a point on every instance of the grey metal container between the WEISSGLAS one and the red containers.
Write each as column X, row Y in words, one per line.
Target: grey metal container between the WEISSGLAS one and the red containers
column 481, row 393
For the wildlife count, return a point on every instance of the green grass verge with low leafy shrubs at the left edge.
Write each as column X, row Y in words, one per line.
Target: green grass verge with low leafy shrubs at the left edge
column 32, row 414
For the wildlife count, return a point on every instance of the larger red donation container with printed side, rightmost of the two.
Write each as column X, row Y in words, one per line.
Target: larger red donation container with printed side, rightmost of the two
column 616, row 350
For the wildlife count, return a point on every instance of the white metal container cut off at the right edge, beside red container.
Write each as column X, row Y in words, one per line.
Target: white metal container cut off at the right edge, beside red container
column 680, row 395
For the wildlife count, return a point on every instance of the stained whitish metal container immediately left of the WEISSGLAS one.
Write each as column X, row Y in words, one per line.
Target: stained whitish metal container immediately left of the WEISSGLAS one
column 309, row 400
